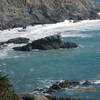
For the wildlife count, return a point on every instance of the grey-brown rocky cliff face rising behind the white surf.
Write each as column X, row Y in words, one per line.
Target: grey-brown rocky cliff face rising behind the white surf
column 14, row 13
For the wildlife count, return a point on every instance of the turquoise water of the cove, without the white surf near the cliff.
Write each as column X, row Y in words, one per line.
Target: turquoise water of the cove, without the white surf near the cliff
column 38, row 69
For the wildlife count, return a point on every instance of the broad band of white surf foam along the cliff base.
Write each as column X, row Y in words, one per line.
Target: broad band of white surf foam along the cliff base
column 66, row 28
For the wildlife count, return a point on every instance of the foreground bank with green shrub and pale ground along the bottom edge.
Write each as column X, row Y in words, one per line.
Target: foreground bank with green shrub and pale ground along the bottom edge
column 7, row 92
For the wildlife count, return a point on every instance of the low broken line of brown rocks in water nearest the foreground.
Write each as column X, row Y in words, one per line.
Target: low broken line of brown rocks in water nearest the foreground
column 59, row 85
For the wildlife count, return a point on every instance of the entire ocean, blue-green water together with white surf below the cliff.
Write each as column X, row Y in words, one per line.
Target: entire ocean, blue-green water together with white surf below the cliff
column 39, row 69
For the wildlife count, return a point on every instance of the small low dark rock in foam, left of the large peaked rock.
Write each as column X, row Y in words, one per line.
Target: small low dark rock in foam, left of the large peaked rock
column 18, row 40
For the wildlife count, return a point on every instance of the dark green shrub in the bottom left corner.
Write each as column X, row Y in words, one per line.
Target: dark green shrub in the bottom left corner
column 6, row 90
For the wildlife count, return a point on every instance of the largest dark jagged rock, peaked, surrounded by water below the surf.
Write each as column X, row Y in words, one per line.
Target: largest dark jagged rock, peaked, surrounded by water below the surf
column 47, row 43
